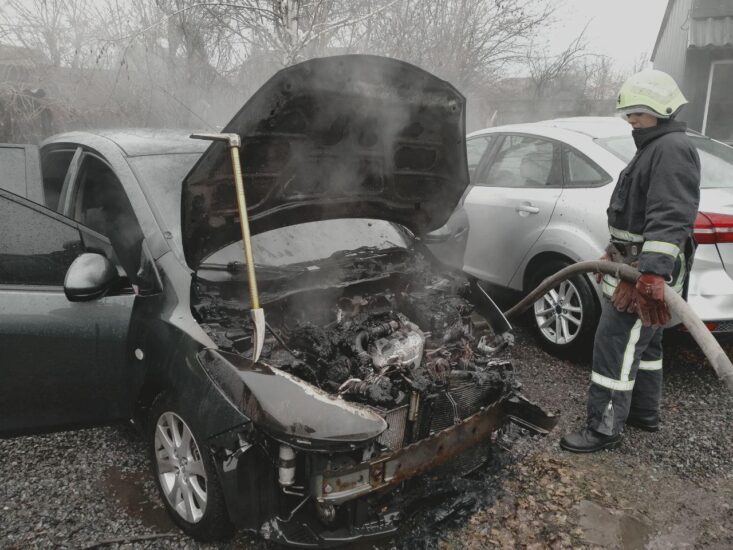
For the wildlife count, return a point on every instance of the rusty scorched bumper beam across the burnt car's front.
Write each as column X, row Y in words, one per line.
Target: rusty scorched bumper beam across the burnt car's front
column 390, row 469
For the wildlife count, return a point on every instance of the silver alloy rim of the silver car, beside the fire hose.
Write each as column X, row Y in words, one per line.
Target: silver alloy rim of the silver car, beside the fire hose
column 559, row 313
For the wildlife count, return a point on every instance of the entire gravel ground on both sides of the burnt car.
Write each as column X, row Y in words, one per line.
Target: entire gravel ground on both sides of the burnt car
column 672, row 489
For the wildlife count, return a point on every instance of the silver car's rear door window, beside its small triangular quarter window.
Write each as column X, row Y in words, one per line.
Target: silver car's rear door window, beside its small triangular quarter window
column 522, row 161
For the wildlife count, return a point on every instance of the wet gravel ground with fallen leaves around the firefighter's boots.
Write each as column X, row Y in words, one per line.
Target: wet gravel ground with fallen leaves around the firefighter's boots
column 670, row 489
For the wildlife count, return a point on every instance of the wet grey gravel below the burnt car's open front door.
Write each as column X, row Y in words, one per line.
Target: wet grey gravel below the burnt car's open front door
column 85, row 489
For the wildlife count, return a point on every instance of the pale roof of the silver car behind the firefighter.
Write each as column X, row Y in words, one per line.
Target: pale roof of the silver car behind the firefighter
column 592, row 127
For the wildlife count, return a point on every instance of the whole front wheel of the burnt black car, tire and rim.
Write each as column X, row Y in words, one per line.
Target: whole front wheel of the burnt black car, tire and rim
column 185, row 474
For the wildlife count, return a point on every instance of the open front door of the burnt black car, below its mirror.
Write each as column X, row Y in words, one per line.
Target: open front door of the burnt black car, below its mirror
column 63, row 363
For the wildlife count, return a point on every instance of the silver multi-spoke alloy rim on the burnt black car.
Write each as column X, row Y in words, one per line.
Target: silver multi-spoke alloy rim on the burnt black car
column 181, row 470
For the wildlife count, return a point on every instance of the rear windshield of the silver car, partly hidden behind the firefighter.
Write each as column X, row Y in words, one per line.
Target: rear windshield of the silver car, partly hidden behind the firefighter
column 716, row 158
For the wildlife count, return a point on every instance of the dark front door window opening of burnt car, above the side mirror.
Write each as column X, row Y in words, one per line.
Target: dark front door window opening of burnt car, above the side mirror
column 101, row 204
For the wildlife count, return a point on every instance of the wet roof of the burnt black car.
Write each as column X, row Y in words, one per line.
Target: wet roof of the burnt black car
column 136, row 142
